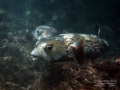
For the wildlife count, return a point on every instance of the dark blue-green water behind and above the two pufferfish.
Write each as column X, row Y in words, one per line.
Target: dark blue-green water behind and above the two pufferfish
column 68, row 14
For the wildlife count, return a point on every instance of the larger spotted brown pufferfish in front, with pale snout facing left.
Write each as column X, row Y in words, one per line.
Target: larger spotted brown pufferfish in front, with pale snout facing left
column 70, row 46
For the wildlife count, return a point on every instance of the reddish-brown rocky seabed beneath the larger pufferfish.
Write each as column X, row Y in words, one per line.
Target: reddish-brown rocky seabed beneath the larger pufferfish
column 70, row 76
